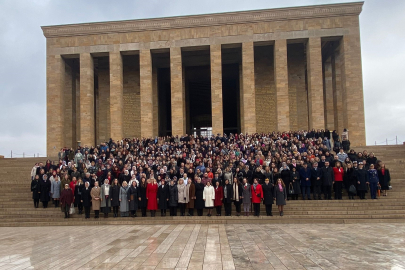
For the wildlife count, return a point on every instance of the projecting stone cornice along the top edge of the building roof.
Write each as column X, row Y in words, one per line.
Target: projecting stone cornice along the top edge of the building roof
column 241, row 17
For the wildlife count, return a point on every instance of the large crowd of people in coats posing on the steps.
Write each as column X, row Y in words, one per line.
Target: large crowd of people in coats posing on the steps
column 180, row 174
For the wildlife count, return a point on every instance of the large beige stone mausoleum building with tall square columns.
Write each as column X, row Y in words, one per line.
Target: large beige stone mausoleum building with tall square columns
column 250, row 71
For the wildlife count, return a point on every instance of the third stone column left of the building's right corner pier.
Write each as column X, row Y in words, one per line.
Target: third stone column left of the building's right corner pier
column 248, row 99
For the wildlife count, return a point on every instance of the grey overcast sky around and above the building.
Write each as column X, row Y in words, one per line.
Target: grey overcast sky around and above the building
column 23, row 69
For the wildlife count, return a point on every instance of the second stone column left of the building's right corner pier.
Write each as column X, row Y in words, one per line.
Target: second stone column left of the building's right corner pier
column 281, row 81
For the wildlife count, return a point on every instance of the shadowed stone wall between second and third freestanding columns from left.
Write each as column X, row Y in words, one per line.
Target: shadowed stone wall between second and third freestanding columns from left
column 132, row 100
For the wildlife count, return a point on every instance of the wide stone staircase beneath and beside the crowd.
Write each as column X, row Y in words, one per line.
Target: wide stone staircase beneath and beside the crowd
column 17, row 208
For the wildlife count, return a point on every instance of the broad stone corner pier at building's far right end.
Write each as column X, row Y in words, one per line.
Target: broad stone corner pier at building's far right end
column 352, row 82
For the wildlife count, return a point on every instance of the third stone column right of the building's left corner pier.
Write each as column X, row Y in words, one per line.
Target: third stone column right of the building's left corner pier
column 145, row 66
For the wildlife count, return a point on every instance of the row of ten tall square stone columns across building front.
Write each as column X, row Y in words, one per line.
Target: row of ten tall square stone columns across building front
column 319, row 117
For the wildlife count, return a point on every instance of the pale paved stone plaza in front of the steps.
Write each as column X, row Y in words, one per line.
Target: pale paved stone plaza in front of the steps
column 323, row 246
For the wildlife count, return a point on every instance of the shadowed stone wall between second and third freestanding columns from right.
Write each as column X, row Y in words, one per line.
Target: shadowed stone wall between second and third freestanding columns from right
column 266, row 107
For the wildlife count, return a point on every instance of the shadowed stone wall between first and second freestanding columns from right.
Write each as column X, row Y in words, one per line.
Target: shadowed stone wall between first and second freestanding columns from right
column 298, row 97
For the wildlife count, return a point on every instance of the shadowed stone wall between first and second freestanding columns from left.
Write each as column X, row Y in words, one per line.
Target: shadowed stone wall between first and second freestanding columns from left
column 103, row 120
